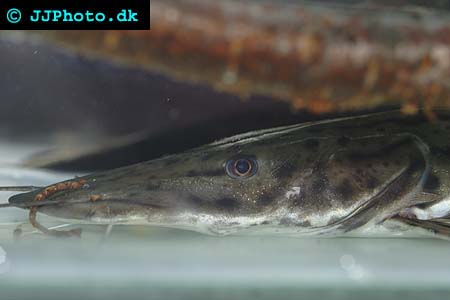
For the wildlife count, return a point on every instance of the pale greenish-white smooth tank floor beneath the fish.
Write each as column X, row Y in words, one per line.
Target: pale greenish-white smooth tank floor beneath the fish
column 146, row 258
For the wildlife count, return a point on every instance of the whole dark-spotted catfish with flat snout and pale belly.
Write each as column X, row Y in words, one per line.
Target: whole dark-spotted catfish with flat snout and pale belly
column 382, row 174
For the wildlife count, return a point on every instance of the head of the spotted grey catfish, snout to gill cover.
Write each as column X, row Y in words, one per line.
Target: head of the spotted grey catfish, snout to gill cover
column 283, row 180
